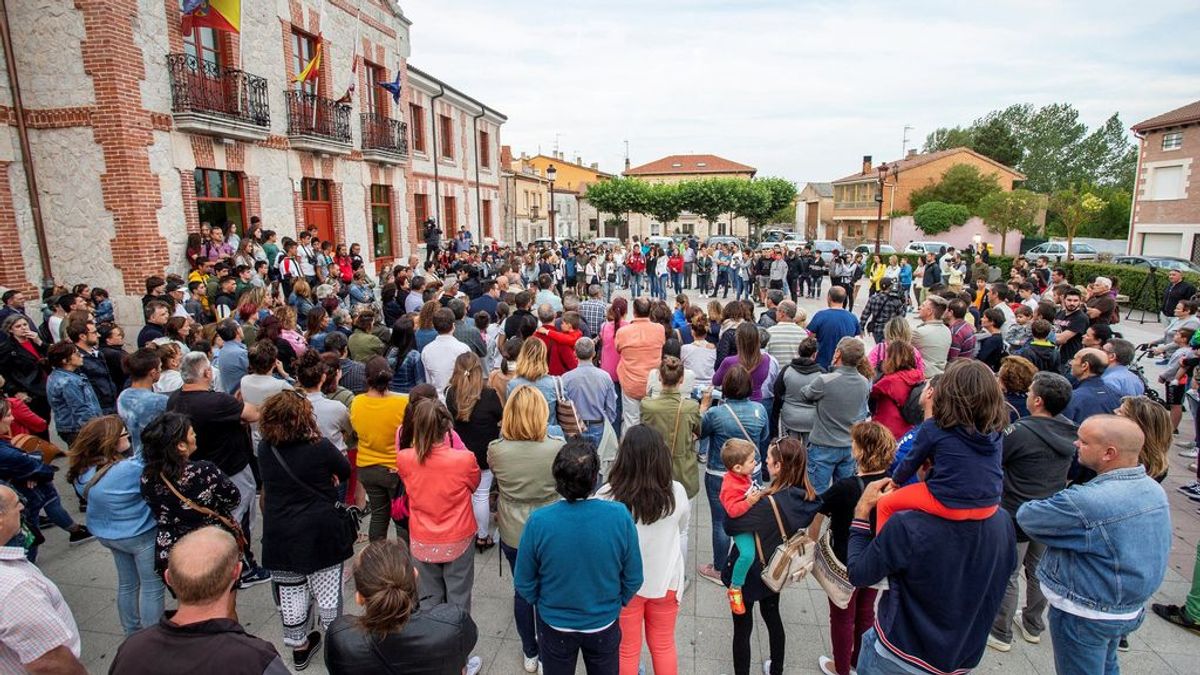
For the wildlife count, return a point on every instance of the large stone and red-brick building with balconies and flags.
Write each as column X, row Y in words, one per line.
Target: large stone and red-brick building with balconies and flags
column 137, row 133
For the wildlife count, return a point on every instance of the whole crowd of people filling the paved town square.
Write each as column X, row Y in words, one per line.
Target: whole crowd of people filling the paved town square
column 961, row 432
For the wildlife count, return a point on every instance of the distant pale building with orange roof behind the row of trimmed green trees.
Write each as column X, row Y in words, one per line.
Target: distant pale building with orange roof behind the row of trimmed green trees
column 677, row 169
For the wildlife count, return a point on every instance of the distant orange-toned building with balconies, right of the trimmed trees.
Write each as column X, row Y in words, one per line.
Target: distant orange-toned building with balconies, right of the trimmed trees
column 855, row 205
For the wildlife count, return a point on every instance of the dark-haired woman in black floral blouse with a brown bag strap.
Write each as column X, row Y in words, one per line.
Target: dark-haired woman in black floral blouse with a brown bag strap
column 181, row 491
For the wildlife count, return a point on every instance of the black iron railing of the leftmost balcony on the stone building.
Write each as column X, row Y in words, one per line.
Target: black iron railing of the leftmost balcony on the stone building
column 206, row 88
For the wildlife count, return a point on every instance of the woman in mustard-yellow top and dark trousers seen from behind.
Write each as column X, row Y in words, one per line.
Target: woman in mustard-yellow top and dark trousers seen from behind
column 376, row 416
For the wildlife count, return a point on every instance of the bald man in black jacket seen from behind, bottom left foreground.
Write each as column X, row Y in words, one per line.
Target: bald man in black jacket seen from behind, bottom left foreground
column 203, row 635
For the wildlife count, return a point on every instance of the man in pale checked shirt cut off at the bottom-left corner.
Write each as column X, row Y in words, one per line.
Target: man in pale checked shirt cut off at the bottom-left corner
column 38, row 631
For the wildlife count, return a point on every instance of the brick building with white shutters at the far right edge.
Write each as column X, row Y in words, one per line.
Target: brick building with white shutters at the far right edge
column 1166, row 208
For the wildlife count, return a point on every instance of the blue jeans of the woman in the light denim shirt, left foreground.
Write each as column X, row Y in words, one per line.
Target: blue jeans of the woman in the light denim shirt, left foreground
column 140, row 590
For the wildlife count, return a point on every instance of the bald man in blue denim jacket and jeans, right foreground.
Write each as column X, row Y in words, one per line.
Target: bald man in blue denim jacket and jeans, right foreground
column 1107, row 545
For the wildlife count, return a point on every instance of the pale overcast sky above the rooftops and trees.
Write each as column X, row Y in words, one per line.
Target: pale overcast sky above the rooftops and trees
column 797, row 89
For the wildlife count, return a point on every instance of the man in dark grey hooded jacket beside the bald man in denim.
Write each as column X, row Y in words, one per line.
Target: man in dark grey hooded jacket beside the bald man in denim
column 1039, row 451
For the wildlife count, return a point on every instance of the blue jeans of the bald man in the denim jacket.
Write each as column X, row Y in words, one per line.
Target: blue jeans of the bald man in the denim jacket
column 1088, row 646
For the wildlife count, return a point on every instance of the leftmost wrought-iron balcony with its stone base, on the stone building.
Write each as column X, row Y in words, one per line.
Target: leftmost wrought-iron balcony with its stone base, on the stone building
column 211, row 99
